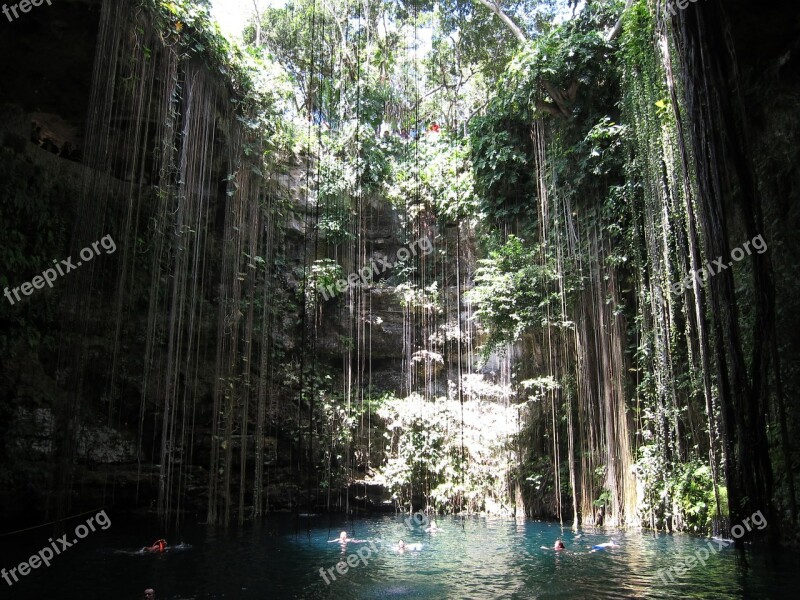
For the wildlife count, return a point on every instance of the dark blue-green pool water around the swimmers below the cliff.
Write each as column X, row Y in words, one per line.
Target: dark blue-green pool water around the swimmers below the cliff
column 473, row 558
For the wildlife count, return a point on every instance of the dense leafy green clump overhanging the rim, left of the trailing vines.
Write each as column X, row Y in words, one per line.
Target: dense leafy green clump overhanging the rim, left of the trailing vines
column 568, row 79
